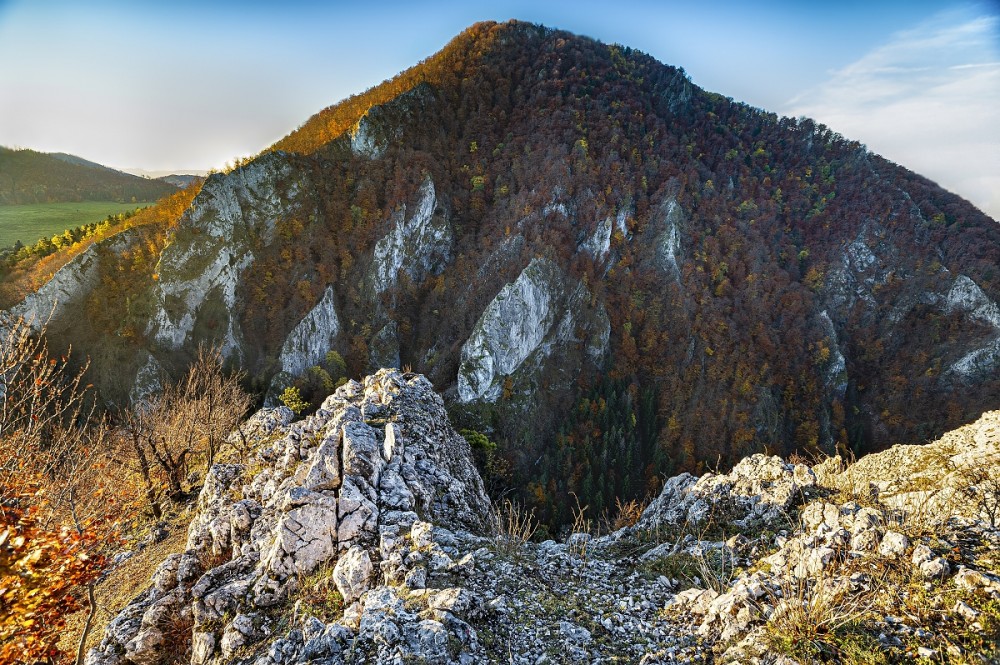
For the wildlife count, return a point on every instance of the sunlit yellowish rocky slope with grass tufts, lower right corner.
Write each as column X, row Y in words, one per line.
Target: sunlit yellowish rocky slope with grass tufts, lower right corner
column 881, row 540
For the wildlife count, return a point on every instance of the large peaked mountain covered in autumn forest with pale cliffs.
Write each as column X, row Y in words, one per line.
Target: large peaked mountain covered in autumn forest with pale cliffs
column 608, row 271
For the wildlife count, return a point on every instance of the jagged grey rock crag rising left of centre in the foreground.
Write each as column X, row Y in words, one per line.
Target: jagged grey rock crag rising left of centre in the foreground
column 341, row 496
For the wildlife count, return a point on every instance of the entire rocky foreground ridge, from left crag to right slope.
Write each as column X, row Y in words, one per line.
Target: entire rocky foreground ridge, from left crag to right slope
column 362, row 534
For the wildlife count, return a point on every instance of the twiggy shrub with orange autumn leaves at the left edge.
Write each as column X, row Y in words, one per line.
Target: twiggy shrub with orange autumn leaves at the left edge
column 57, row 464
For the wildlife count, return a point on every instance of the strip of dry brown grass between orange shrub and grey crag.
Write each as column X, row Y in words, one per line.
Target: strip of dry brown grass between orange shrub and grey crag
column 123, row 584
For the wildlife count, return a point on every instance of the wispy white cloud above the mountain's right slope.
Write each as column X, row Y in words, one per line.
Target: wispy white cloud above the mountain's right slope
column 928, row 99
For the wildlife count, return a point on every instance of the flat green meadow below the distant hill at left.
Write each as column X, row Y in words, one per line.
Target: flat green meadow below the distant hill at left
column 30, row 222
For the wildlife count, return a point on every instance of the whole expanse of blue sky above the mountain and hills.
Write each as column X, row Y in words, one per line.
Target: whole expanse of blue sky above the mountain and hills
column 189, row 85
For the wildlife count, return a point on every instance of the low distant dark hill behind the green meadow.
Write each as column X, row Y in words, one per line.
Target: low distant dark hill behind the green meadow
column 27, row 176
